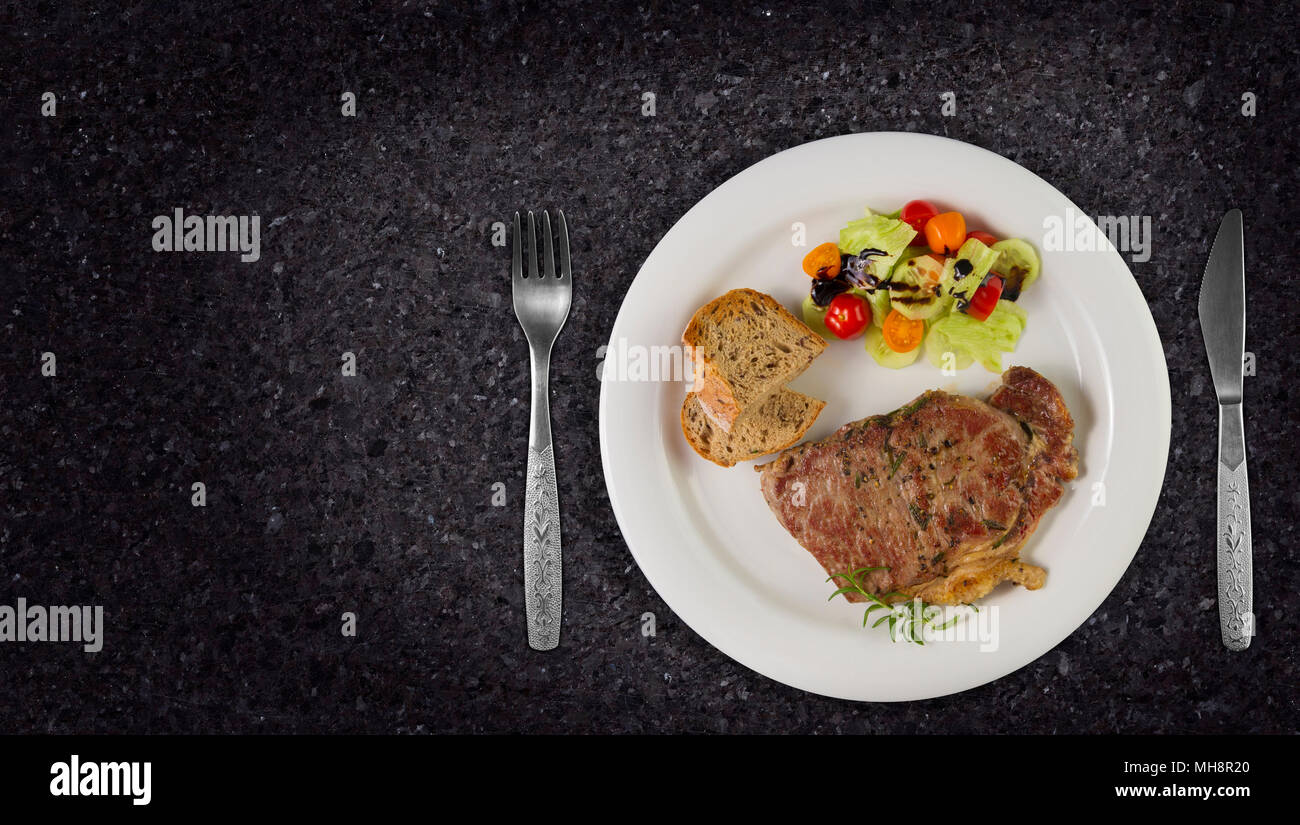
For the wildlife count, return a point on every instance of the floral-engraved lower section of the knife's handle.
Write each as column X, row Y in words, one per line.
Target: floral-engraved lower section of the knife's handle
column 1237, row 619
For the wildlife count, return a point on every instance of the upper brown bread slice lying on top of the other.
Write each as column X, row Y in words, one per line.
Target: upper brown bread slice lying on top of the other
column 746, row 346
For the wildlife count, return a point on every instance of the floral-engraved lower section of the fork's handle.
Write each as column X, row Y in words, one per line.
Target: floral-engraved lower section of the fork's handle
column 543, row 581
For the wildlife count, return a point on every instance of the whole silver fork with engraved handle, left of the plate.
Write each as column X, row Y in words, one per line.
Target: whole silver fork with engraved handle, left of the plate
column 541, row 306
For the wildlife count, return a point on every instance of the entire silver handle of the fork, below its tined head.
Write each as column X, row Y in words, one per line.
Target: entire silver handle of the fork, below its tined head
column 543, row 580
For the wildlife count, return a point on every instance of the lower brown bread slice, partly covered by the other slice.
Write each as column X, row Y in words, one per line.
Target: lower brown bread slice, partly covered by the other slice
column 774, row 425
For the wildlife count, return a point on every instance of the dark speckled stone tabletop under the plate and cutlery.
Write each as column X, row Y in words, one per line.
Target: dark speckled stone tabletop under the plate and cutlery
column 374, row 494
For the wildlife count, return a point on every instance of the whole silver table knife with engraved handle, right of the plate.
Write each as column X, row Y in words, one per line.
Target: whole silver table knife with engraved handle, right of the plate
column 1223, row 314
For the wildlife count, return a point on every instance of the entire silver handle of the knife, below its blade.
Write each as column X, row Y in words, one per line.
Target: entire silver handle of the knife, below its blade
column 1233, row 533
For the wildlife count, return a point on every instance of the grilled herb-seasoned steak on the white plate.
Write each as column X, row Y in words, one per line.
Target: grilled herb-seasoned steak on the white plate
column 943, row 493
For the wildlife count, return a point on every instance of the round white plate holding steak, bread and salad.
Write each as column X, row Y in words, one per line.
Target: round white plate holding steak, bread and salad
column 704, row 536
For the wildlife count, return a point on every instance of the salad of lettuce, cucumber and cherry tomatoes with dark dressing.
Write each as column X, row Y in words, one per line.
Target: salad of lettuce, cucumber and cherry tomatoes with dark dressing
column 917, row 280
